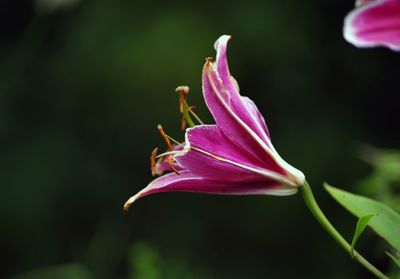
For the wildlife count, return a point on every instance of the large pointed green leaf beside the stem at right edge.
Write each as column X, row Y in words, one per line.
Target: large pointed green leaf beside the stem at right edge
column 386, row 221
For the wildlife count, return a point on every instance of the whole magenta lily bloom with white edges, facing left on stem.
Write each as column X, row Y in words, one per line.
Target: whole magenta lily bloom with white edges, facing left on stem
column 235, row 156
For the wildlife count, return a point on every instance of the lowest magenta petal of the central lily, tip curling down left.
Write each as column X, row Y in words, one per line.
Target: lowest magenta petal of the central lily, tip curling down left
column 188, row 182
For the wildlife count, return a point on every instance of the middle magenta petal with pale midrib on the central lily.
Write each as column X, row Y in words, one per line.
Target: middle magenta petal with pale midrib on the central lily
column 210, row 153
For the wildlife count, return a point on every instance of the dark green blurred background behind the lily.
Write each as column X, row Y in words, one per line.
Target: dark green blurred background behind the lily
column 83, row 85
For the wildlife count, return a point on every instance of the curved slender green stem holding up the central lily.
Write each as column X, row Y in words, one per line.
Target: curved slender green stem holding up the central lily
column 321, row 218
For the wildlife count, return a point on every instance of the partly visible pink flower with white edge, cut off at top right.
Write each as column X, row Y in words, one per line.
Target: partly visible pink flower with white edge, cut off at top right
column 374, row 23
